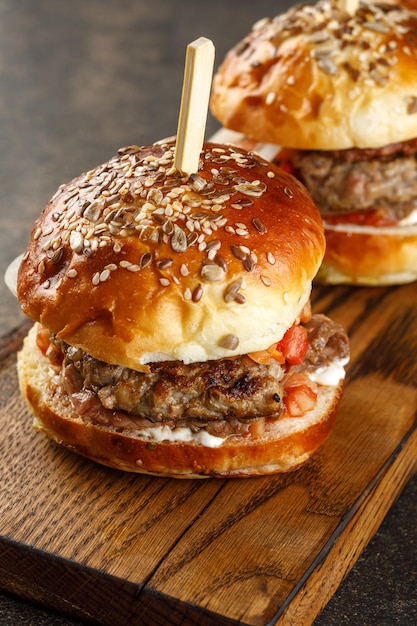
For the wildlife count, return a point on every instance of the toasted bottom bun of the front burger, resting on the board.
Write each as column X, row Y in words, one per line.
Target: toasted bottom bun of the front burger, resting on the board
column 286, row 443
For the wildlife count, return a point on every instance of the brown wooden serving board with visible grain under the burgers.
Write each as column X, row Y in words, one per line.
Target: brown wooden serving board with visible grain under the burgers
column 126, row 549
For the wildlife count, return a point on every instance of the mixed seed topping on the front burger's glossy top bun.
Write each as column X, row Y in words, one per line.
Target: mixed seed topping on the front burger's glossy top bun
column 147, row 198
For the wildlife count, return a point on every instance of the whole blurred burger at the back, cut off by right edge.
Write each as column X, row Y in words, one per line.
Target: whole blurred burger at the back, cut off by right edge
column 337, row 92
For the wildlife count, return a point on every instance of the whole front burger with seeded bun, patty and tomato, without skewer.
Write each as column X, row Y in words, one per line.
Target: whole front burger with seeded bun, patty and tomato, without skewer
column 173, row 332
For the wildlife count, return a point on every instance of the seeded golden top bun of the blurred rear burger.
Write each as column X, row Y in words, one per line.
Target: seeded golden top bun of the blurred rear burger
column 317, row 78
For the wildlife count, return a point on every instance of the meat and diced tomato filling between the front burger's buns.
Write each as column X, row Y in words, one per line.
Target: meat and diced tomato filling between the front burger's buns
column 222, row 397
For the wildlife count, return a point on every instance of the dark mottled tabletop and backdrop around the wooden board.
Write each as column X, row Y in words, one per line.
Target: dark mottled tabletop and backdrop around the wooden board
column 80, row 79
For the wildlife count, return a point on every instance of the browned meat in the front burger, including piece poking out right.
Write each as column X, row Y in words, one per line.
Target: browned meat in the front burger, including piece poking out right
column 214, row 391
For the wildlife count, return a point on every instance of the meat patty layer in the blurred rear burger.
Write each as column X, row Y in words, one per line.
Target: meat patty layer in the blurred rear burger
column 383, row 180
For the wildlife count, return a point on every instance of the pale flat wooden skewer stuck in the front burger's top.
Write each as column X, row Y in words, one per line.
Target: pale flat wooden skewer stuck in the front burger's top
column 199, row 62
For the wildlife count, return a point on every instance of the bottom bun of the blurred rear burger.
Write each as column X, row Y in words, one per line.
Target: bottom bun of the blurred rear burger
column 366, row 255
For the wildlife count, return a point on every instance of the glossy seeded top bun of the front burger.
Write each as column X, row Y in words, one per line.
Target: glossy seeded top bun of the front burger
column 135, row 263
